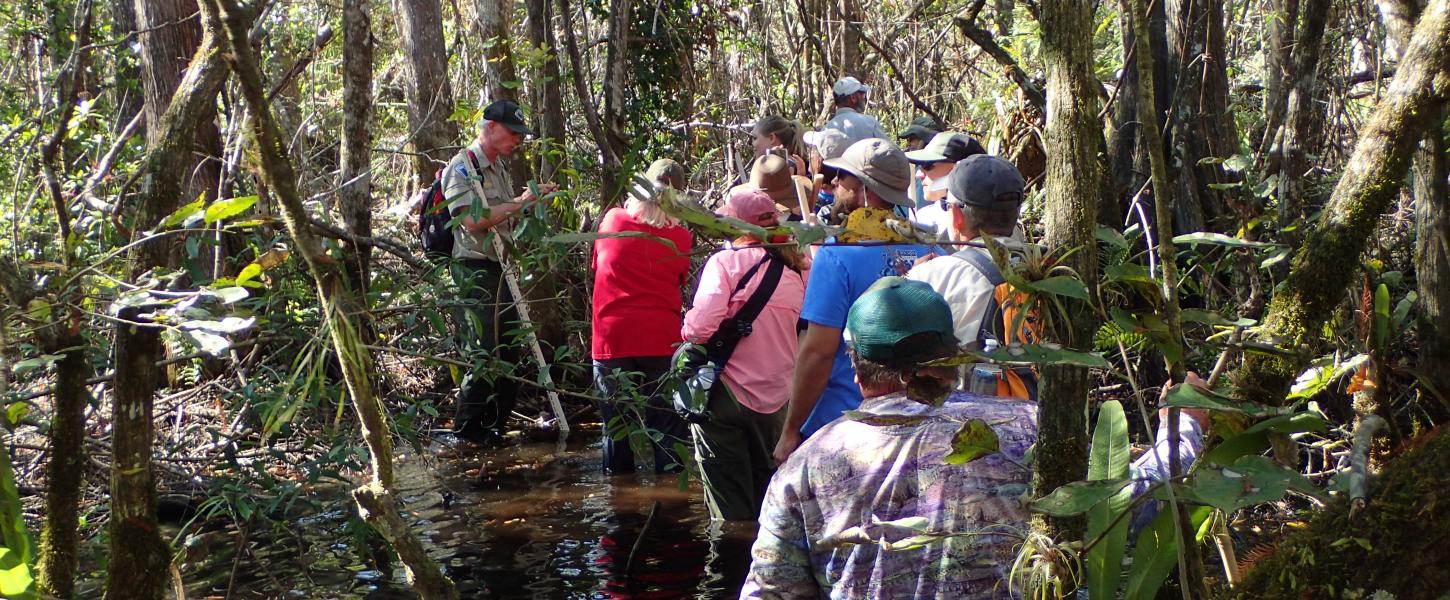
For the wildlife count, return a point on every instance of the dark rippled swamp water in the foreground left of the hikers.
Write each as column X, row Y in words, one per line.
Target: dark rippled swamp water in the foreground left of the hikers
column 534, row 521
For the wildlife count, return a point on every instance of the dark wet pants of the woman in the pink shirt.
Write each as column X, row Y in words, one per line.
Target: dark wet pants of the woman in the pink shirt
column 734, row 456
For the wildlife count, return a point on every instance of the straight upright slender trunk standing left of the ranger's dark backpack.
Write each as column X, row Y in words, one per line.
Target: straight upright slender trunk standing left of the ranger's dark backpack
column 355, row 178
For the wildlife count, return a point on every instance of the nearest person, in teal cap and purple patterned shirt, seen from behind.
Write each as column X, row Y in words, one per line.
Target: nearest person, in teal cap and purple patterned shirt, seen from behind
column 881, row 475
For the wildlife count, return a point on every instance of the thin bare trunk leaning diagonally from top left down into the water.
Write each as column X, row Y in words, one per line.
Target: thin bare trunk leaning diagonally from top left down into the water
column 340, row 307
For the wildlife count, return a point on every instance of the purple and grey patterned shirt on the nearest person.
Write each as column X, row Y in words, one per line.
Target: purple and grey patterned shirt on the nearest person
column 855, row 478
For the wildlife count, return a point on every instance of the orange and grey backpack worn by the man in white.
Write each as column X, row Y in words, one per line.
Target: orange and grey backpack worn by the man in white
column 1006, row 322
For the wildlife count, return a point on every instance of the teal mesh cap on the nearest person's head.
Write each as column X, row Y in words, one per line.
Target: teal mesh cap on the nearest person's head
column 900, row 324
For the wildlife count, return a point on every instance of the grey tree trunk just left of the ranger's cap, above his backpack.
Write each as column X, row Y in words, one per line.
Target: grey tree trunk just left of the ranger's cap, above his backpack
column 430, row 96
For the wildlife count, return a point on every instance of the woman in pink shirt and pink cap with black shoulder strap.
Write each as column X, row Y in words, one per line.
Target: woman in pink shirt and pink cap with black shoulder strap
column 749, row 411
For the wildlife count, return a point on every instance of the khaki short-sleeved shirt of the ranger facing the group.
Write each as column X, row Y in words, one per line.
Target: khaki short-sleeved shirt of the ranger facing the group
column 459, row 180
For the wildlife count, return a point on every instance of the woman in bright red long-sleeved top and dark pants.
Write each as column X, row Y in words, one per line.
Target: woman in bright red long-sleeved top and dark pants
column 636, row 322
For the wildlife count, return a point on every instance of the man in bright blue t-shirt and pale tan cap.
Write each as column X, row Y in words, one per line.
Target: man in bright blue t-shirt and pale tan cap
column 878, row 173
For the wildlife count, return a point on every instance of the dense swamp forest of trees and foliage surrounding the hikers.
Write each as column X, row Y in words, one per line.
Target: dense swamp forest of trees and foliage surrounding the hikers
column 218, row 314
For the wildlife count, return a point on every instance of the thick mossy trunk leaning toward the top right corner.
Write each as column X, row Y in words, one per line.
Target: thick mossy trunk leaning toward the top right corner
column 1323, row 266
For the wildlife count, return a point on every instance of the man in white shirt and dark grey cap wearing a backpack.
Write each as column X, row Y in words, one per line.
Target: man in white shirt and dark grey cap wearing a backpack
column 984, row 198
